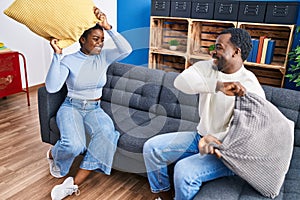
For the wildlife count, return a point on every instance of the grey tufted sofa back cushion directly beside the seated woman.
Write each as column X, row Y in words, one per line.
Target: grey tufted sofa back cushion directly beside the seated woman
column 132, row 86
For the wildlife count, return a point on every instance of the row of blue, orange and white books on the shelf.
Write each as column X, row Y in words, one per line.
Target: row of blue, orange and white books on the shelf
column 262, row 50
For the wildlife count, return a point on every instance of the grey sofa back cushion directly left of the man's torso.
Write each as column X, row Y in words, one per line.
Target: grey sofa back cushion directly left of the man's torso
column 176, row 104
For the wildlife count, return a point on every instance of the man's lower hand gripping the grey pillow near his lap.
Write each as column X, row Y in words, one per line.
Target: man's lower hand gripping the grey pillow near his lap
column 205, row 146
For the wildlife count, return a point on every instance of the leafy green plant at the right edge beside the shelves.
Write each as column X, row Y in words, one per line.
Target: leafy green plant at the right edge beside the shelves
column 294, row 57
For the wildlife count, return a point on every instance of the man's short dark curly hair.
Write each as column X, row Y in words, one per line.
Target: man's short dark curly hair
column 241, row 39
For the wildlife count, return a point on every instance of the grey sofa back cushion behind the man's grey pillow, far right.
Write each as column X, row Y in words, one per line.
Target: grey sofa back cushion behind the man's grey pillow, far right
column 288, row 102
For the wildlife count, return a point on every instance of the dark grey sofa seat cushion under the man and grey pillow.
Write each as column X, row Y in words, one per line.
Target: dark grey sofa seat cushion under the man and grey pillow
column 235, row 188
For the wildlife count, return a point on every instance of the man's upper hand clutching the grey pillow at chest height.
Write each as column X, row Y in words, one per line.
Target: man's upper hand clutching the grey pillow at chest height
column 231, row 88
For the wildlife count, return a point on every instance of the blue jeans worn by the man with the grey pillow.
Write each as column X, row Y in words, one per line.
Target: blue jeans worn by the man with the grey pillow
column 191, row 169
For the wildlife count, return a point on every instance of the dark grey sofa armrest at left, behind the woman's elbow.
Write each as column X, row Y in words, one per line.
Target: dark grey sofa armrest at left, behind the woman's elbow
column 48, row 105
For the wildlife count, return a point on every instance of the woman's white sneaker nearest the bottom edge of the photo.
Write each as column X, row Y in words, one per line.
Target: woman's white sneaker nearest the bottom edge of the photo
column 65, row 189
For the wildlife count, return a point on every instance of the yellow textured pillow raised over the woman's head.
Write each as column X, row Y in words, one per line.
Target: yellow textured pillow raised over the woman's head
column 65, row 20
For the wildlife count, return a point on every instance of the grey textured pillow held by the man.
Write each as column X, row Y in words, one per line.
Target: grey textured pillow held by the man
column 259, row 144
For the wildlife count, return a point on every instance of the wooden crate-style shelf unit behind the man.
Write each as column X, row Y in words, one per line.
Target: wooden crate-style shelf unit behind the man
column 196, row 35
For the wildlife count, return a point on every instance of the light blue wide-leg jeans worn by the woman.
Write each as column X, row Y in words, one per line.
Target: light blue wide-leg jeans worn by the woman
column 75, row 118
